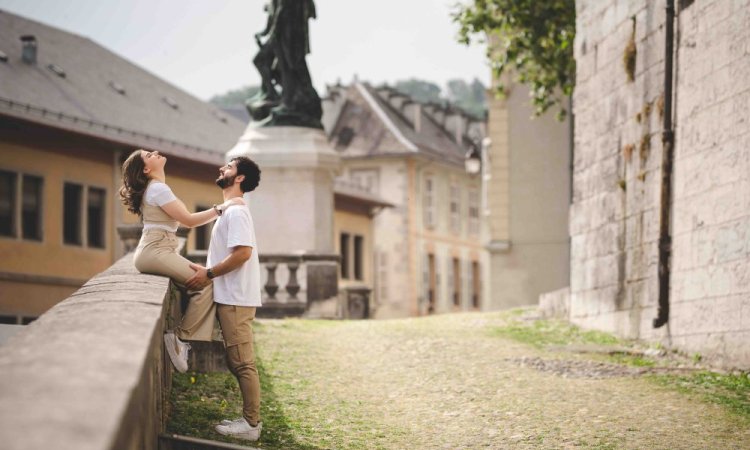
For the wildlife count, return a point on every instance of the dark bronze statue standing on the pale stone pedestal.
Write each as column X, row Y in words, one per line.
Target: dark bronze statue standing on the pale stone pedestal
column 281, row 63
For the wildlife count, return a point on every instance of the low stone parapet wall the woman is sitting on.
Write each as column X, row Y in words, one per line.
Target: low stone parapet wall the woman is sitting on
column 90, row 373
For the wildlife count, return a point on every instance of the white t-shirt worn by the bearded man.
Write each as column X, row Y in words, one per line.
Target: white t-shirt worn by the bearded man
column 240, row 287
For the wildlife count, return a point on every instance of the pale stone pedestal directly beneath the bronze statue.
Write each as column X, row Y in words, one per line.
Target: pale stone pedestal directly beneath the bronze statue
column 293, row 206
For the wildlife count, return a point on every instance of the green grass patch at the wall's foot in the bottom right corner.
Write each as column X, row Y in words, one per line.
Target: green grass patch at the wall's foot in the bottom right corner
column 731, row 391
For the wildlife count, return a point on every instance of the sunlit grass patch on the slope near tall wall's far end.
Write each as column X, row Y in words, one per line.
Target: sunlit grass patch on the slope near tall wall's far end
column 540, row 333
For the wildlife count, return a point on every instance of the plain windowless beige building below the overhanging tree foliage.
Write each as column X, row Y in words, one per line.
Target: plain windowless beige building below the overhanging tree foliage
column 527, row 170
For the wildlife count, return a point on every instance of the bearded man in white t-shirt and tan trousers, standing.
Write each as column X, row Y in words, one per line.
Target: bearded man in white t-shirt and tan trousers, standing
column 234, row 268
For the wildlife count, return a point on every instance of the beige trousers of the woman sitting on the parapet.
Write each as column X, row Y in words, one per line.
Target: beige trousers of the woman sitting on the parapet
column 157, row 254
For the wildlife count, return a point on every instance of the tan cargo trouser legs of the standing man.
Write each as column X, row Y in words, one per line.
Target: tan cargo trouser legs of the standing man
column 236, row 326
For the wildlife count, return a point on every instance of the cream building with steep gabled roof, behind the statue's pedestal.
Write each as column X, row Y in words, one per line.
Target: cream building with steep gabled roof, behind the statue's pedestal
column 427, row 255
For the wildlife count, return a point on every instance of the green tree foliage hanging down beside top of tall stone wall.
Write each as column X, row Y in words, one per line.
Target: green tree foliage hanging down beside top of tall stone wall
column 530, row 39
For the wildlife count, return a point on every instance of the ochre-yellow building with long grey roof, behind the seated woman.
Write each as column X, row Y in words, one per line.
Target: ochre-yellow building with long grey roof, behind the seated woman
column 70, row 111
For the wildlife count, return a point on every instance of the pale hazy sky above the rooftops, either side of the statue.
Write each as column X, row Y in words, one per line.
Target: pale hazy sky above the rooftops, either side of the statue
column 206, row 46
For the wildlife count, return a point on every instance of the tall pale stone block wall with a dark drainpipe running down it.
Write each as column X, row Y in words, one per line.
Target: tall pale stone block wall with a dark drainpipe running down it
column 614, row 220
